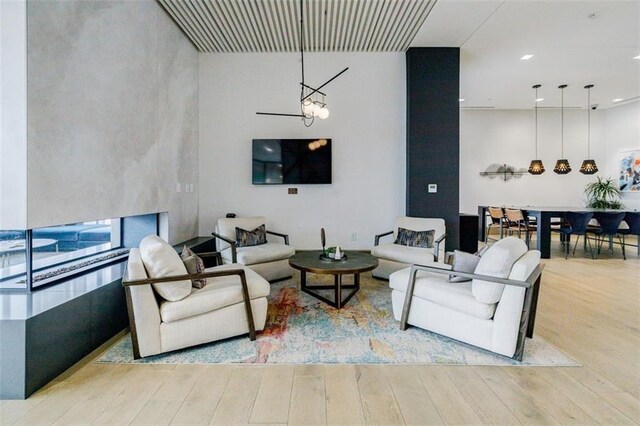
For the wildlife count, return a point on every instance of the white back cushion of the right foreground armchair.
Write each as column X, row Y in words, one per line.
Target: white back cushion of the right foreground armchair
column 497, row 262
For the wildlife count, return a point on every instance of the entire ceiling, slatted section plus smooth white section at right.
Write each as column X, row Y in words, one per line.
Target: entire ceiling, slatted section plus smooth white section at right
column 574, row 42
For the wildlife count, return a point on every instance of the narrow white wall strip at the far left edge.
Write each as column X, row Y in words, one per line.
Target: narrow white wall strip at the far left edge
column 13, row 114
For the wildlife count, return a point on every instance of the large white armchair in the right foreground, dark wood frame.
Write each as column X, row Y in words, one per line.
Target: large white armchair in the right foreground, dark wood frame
column 495, row 310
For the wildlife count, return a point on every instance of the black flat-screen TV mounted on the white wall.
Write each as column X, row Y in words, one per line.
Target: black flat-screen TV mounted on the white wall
column 291, row 161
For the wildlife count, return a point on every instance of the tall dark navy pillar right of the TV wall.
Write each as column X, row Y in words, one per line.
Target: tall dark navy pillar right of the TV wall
column 433, row 133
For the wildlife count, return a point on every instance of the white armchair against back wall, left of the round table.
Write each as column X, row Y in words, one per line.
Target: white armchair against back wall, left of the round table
column 270, row 260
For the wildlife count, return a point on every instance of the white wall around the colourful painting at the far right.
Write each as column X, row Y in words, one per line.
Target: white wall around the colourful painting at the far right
column 622, row 134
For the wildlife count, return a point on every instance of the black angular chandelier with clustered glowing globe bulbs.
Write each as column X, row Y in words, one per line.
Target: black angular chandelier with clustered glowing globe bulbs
column 312, row 101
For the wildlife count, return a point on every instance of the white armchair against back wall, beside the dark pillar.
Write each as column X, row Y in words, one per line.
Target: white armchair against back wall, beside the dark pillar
column 394, row 257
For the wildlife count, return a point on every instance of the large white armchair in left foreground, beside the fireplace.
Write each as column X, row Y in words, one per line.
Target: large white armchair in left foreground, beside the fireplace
column 166, row 313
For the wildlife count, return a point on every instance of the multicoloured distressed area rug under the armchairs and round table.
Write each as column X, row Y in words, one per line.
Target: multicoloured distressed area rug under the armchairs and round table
column 303, row 330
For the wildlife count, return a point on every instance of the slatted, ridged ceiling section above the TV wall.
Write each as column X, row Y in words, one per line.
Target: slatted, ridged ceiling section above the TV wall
column 274, row 25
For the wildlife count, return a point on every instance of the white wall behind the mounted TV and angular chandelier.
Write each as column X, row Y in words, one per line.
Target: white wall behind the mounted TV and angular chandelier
column 367, row 125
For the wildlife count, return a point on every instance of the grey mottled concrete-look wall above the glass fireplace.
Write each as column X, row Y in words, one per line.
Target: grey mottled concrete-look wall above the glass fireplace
column 112, row 114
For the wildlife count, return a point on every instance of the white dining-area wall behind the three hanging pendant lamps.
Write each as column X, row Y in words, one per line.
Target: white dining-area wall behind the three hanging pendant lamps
column 507, row 136
